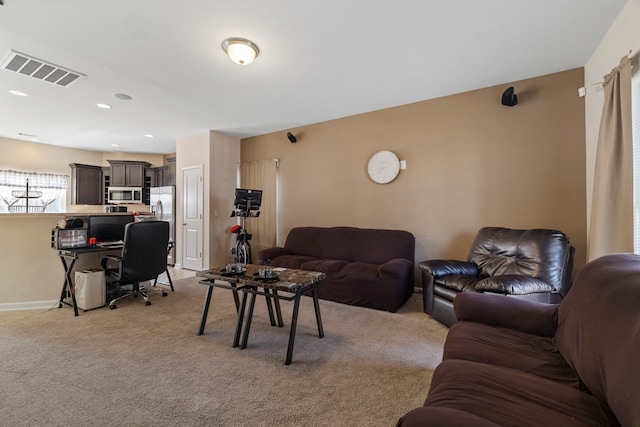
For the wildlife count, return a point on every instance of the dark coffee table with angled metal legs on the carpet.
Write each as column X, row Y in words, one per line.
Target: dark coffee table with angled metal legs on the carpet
column 293, row 282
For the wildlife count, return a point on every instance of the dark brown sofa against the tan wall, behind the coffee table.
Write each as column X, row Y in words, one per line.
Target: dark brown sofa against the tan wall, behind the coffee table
column 364, row 267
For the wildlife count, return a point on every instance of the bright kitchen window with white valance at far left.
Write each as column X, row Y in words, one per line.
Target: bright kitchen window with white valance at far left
column 32, row 192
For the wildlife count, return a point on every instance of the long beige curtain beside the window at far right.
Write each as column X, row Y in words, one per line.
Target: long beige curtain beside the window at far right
column 611, row 226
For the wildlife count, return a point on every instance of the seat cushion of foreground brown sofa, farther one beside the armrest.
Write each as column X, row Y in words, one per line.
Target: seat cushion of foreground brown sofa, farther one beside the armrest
column 508, row 348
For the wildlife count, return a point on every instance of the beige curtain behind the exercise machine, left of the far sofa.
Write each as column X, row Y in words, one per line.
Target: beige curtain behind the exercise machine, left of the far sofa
column 261, row 175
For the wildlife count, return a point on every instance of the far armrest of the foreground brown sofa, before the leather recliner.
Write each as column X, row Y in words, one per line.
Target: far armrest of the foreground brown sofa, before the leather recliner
column 521, row 315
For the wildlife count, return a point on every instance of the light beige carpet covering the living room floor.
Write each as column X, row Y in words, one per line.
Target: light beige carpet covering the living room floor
column 146, row 366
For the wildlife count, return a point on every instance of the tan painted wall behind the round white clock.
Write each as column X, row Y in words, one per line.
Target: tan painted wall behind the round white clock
column 471, row 162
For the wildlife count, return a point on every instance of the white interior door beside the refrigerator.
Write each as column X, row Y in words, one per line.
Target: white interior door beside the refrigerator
column 193, row 210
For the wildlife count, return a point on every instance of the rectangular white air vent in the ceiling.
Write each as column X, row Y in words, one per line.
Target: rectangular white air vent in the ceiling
column 41, row 70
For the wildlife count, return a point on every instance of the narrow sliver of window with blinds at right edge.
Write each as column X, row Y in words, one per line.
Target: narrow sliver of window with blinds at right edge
column 635, row 114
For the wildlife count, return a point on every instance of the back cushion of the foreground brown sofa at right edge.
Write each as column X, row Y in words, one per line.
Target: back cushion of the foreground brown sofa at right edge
column 599, row 332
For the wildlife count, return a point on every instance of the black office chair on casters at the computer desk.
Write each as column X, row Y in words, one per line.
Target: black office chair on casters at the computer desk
column 143, row 258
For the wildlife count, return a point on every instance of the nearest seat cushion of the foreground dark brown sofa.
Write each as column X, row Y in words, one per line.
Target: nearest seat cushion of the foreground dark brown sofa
column 509, row 397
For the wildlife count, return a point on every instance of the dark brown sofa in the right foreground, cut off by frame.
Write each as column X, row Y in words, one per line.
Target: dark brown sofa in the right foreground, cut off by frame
column 510, row 362
